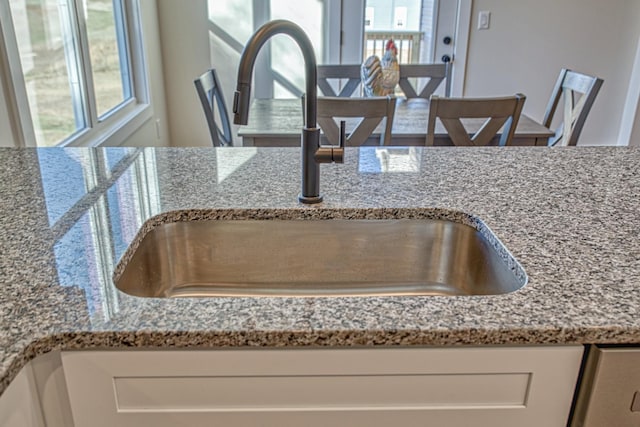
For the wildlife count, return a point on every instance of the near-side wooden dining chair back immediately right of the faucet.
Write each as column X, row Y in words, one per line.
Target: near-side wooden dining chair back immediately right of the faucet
column 367, row 113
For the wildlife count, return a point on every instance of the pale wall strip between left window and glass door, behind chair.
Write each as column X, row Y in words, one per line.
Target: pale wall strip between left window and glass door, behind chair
column 185, row 52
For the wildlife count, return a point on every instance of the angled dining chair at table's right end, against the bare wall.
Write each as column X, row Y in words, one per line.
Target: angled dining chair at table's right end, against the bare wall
column 579, row 92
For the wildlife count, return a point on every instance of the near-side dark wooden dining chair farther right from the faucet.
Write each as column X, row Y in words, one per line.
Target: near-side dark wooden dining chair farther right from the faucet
column 497, row 113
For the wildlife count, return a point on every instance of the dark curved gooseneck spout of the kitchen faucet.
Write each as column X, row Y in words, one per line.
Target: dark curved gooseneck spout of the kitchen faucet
column 247, row 61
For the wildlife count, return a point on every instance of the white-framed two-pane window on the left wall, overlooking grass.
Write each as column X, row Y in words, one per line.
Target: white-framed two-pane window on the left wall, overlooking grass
column 76, row 68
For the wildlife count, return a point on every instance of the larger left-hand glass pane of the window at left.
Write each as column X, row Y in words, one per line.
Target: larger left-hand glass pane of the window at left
column 47, row 48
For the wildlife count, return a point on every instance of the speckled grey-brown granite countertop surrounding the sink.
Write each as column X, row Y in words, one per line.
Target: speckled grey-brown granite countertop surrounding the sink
column 570, row 216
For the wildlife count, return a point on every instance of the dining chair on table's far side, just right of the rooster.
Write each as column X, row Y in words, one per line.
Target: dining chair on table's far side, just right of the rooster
column 437, row 74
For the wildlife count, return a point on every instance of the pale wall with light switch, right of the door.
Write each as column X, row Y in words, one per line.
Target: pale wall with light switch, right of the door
column 529, row 42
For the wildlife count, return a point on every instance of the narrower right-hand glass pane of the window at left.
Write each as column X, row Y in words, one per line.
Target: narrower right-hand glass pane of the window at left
column 107, row 48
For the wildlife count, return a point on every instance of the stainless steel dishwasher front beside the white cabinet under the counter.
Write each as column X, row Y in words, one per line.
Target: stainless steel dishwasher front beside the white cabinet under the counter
column 609, row 393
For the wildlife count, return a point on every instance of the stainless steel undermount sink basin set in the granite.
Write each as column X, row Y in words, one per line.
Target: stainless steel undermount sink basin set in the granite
column 315, row 258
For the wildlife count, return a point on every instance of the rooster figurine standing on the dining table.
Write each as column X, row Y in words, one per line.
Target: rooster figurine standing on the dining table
column 380, row 76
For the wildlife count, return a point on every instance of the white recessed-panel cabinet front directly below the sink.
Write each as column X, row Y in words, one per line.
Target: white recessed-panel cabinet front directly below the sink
column 481, row 386
